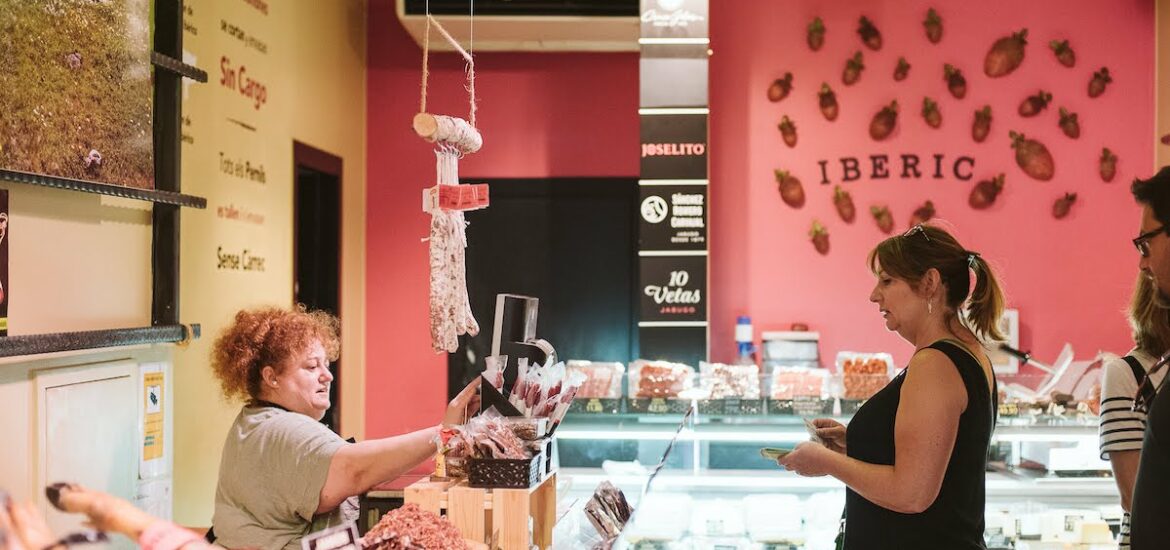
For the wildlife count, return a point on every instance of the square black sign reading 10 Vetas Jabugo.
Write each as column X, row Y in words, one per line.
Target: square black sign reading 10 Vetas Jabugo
column 675, row 288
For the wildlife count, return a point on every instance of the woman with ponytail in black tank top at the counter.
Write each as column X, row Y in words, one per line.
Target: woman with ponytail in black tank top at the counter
column 914, row 456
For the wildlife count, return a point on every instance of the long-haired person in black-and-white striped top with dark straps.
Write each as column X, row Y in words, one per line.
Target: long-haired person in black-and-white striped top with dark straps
column 1123, row 427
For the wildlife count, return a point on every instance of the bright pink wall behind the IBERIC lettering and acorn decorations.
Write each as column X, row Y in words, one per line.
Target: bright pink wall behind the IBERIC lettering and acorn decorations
column 1070, row 279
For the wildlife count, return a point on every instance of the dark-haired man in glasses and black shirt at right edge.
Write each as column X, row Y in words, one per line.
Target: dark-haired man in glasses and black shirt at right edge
column 1152, row 490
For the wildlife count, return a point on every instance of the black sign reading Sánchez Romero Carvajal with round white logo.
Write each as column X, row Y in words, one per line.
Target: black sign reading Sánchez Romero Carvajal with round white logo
column 673, row 218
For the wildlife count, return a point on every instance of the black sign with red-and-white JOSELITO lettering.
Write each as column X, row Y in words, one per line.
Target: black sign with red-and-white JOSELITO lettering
column 675, row 147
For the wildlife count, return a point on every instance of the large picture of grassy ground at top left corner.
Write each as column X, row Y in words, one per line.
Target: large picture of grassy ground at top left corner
column 77, row 95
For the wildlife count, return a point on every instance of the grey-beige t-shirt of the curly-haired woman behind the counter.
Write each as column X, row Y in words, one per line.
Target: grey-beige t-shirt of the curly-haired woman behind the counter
column 272, row 472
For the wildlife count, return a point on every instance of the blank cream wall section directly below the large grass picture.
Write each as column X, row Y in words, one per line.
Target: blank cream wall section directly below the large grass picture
column 78, row 262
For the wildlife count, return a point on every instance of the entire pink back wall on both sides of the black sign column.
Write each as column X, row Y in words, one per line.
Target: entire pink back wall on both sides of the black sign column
column 563, row 115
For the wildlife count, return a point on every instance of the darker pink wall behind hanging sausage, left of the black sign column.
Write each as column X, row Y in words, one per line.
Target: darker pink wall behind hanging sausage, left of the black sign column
column 541, row 115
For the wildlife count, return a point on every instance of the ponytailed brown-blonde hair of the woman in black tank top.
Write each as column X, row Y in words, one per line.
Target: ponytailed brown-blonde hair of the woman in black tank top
column 911, row 256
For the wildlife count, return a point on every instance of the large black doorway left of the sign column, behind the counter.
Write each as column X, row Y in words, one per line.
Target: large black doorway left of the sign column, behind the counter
column 572, row 243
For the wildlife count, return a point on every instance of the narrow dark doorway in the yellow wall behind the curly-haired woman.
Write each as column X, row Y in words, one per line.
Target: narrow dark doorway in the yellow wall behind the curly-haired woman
column 318, row 244
